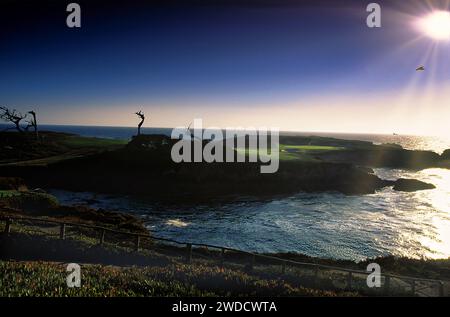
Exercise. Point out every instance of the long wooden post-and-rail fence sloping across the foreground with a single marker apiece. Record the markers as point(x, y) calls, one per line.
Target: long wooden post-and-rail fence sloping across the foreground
point(137, 237)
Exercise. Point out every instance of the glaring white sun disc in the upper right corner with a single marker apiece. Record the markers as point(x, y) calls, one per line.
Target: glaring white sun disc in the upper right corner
point(436, 25)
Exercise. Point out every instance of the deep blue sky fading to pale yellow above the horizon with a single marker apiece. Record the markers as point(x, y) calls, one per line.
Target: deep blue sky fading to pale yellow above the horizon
point(295, 65)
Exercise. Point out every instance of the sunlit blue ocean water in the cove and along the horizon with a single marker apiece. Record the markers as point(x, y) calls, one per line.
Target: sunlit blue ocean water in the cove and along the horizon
point(329, 224)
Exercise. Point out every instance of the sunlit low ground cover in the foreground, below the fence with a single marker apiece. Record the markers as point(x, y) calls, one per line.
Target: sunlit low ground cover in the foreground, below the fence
point(49, 279)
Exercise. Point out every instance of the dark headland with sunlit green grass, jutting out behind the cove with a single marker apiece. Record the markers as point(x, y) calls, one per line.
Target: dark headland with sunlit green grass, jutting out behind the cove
point(144, 166)
